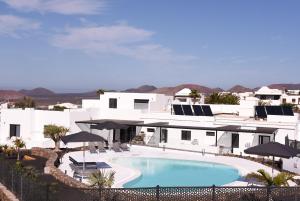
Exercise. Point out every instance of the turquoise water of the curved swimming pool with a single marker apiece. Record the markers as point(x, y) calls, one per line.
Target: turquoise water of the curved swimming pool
point(168, 172)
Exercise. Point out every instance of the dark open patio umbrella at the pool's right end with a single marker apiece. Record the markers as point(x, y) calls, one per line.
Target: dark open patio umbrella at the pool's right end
point(273, 149)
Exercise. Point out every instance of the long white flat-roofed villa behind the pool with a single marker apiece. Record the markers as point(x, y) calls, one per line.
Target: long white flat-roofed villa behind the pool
point(165, 121)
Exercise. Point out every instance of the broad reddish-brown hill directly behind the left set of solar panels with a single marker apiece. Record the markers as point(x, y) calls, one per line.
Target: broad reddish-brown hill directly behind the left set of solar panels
point(173, 90)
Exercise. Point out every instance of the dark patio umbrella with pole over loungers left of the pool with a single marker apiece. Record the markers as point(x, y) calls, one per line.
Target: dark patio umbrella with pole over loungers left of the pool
point(84, 137)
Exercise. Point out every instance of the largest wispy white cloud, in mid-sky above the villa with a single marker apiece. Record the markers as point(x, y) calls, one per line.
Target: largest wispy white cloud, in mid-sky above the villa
point(120, 39)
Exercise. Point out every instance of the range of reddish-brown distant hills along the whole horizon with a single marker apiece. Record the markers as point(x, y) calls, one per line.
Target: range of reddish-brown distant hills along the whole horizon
point(44, 97)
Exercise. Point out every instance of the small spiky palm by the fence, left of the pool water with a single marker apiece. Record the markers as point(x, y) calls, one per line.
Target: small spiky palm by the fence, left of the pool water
point(102, 179)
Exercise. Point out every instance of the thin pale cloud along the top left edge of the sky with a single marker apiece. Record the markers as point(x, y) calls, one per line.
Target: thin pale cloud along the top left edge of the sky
point(66, 7)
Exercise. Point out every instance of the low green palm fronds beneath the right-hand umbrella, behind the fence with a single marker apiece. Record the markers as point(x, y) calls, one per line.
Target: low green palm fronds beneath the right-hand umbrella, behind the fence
point(281, 179)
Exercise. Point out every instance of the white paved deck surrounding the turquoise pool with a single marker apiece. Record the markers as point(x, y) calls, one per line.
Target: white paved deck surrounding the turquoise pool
point(125, 174)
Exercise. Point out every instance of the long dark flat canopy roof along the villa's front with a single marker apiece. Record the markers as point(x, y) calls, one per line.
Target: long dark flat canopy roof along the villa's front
point(228, 128)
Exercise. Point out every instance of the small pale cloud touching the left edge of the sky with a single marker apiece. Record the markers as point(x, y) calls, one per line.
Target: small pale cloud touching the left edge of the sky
point(14, 26)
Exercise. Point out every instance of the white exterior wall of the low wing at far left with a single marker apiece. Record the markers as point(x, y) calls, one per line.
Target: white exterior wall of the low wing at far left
point(32, 124)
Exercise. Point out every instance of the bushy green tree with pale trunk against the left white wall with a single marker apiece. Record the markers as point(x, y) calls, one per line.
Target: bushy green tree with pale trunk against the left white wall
point(55, 133)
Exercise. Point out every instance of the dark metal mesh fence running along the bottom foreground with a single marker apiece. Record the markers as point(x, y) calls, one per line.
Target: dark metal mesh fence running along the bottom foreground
point(28, 189)
